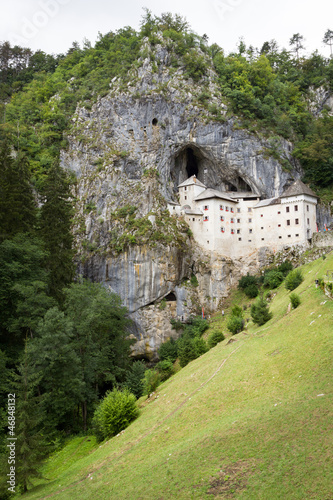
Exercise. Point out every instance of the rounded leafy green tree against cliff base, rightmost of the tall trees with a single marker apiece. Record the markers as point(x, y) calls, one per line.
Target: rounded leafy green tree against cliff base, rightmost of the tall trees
point(99, 325)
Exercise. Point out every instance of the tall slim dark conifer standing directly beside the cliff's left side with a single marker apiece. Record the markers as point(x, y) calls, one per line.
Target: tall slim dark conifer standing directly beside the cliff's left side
point(55, 229)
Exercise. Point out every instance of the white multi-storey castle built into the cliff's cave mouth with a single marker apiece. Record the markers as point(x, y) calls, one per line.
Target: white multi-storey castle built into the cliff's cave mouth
point(236, 224)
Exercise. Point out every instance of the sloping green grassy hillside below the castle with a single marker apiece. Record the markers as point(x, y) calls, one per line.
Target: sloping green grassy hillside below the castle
point(251, 419)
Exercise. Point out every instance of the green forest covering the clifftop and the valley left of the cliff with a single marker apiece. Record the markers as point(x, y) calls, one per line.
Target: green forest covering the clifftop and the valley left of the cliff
point(63, 340)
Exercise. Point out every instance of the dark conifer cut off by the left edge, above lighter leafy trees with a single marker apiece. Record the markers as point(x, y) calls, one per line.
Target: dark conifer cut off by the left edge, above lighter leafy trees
point(17, 202)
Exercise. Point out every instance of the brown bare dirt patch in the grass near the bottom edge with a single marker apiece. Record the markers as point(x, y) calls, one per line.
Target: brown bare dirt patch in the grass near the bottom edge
point(232, 479)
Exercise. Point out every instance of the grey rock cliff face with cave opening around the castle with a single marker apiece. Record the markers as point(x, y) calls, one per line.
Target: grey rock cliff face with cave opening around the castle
point(129, 153)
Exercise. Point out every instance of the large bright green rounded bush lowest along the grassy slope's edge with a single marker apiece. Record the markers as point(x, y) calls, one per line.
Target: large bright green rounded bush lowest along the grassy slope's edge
point(114, 413)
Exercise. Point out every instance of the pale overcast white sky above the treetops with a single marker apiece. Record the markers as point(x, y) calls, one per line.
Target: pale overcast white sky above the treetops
point(52, 25)
